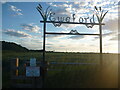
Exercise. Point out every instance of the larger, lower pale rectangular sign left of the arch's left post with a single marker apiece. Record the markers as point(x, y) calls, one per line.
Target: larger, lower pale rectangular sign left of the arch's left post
point(32, 71)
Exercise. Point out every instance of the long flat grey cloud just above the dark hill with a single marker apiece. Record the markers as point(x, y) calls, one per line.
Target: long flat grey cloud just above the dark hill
point(15, 33)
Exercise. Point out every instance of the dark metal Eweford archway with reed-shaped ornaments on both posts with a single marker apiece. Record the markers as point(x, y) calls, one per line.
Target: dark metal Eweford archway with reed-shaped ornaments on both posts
point(57, 22)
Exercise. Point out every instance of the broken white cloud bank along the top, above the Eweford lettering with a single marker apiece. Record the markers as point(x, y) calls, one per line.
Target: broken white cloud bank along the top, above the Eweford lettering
point(86, 6)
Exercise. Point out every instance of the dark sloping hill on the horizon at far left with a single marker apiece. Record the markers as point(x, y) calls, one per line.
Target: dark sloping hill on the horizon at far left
point(10, 46)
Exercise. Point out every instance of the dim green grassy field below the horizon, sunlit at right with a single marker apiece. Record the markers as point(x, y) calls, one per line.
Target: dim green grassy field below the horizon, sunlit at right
point(70, 76)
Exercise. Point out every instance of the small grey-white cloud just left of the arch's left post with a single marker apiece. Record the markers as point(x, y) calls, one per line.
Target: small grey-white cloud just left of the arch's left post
point(31, 27)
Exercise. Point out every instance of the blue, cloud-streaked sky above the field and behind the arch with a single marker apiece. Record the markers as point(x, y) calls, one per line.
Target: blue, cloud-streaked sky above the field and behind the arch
point(21, 24)
